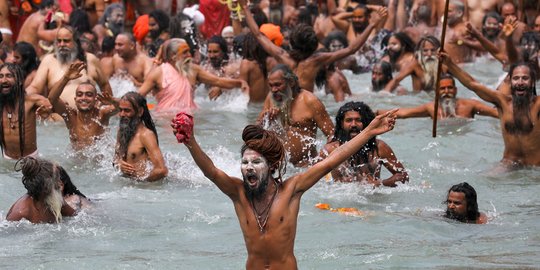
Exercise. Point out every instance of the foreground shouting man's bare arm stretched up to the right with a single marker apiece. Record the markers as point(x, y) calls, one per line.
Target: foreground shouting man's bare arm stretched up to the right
point(379, 125)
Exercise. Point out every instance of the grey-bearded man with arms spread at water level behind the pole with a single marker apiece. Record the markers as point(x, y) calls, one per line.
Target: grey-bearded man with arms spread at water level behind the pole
point(449, 105)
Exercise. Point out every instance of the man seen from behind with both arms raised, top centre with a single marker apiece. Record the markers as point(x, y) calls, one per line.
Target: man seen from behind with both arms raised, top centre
point(302, 58)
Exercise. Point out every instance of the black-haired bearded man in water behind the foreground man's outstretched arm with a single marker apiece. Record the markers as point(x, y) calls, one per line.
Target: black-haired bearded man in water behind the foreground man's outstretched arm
point(364, 165)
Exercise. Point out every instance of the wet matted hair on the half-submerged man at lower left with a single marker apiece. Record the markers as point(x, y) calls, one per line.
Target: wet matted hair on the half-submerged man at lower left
point(38, 176)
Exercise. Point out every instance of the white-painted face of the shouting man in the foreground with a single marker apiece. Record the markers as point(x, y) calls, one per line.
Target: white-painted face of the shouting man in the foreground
point(255, 168)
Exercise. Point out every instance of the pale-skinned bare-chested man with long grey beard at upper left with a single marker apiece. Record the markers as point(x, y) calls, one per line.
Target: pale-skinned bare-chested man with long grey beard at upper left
point(53, 67)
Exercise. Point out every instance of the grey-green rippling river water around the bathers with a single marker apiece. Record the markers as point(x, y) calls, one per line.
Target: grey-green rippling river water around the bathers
point(185, 222)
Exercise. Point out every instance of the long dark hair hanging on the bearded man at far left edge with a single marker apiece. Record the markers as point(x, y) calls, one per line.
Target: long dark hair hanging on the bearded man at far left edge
point(19, 95)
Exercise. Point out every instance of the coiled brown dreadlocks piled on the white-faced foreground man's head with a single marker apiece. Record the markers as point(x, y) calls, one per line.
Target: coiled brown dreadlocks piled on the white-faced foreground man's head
point(268, 144)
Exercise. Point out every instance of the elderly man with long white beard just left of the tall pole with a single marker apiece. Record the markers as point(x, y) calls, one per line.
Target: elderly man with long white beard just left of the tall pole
point(423, 69)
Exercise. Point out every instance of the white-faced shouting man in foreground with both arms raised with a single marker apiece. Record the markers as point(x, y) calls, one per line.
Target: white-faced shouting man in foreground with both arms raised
point(267, 206)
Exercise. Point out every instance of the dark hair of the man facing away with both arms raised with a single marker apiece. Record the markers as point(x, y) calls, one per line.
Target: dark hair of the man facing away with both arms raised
point(303, 42)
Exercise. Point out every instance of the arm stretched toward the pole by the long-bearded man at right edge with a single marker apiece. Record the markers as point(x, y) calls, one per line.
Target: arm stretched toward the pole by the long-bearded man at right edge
point(468, 81)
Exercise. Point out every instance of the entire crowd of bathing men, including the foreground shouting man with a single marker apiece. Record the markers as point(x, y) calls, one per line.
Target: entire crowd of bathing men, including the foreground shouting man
point(58, 59)
